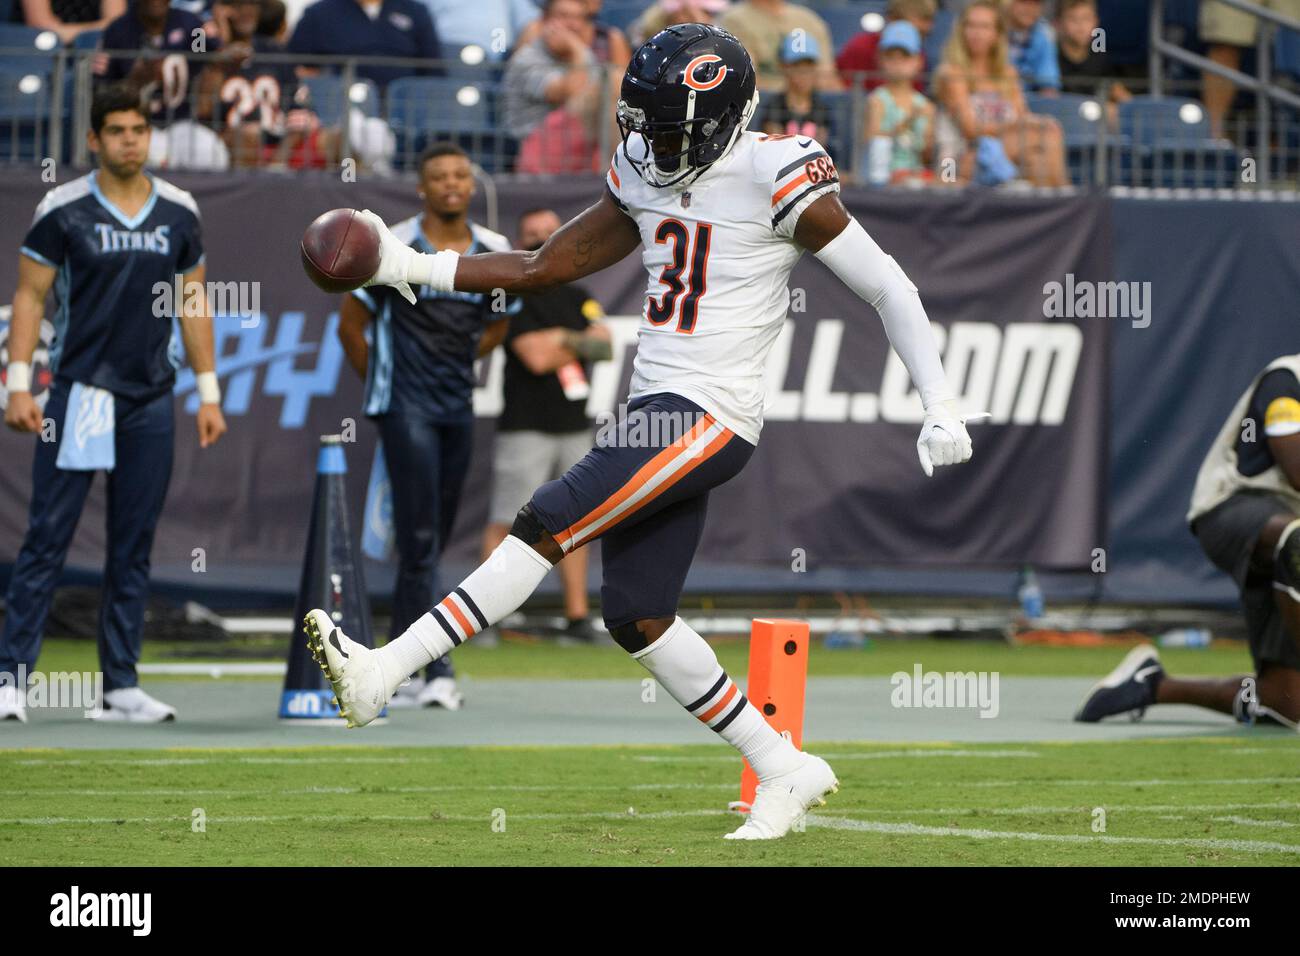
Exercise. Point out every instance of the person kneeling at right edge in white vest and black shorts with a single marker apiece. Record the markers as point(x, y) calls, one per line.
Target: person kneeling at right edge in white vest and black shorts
point(1246, 513)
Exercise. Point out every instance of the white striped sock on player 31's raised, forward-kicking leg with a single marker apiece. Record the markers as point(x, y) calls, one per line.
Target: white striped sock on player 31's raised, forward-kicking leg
point(495, 590)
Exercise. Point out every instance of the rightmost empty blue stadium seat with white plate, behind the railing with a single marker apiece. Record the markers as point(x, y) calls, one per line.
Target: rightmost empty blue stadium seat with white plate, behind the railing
point(1171, 139)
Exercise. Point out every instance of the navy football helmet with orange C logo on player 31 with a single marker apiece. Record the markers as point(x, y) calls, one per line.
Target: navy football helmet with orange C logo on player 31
point(688, 94)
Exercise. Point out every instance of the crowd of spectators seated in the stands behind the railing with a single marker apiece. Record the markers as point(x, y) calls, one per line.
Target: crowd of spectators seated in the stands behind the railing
point(898, 102)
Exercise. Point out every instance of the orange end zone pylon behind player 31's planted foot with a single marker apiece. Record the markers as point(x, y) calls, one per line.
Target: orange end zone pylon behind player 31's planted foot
point(778, 678)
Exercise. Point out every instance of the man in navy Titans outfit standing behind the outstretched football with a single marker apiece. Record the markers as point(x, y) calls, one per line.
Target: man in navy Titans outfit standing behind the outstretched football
point(419, 390)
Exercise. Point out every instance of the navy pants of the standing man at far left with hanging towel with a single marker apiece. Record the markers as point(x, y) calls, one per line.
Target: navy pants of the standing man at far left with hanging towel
point(137, 490)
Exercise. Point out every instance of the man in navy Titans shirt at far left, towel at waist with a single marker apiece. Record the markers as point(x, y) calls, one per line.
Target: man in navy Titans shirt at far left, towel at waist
point(105, 244)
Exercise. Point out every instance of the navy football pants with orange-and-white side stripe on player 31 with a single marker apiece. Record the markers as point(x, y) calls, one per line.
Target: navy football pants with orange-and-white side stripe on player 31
point(644, 492)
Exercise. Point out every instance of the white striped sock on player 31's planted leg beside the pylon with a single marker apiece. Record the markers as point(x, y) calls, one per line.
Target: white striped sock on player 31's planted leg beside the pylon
point(688, 669)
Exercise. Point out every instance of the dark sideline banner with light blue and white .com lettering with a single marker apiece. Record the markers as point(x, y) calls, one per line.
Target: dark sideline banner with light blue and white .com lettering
point(1021, 292)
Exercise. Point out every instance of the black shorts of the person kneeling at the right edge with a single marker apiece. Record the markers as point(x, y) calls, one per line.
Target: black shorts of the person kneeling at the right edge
point(1228, 535)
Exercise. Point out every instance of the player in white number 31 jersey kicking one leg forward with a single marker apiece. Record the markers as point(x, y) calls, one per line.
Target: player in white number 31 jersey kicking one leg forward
point(721, 215)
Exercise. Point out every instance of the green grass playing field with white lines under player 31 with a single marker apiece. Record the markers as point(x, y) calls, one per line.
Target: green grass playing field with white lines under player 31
point(1227, 801)
